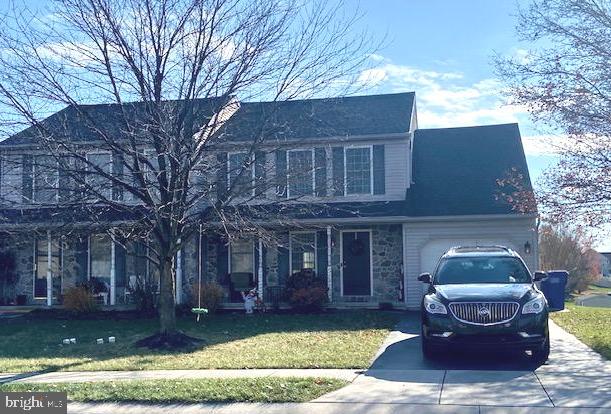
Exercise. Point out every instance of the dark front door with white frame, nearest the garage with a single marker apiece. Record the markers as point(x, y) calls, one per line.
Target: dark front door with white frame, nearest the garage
point(356, 263)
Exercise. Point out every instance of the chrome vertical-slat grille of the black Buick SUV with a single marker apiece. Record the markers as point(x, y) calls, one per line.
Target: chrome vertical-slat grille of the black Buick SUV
point(484, 313)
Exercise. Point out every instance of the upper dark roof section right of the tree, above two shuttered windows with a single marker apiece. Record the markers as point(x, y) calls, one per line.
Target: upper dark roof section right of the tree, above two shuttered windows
point(319, 118)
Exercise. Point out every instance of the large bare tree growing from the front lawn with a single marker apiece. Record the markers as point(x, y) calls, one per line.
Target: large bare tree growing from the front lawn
point(176, 71)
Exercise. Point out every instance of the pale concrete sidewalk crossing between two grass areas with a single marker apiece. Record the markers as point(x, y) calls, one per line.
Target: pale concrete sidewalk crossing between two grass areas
point(92, 376)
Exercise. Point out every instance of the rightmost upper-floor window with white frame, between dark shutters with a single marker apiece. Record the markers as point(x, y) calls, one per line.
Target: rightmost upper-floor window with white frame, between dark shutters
point(358, 170)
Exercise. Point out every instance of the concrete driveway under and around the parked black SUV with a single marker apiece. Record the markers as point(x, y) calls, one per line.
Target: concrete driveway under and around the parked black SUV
point(574, 377)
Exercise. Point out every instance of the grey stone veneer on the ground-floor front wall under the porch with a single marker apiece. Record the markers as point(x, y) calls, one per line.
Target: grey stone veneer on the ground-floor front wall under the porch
point(387, 264)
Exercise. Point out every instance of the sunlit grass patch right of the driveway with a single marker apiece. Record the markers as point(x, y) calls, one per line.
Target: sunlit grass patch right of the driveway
point(590, 325)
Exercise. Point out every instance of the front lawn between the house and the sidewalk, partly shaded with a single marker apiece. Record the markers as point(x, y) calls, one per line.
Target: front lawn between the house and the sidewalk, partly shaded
point(333, 340)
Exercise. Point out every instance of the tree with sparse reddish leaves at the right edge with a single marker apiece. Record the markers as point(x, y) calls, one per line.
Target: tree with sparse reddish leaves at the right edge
point(565, 82)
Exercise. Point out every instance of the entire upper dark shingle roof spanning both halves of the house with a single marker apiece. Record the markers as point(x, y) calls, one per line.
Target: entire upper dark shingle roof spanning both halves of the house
point(283, 120)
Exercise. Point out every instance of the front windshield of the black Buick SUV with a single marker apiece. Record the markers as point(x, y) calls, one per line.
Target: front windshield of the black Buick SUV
point(458, 270)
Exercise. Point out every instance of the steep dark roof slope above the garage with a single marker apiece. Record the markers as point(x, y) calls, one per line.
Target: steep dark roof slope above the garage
point(455, 170)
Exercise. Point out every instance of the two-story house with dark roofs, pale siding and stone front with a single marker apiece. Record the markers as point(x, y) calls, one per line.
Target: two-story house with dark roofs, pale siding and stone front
point(390, 198)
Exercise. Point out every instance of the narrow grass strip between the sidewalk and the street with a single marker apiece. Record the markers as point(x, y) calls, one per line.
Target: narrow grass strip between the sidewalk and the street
point(191, 391)
